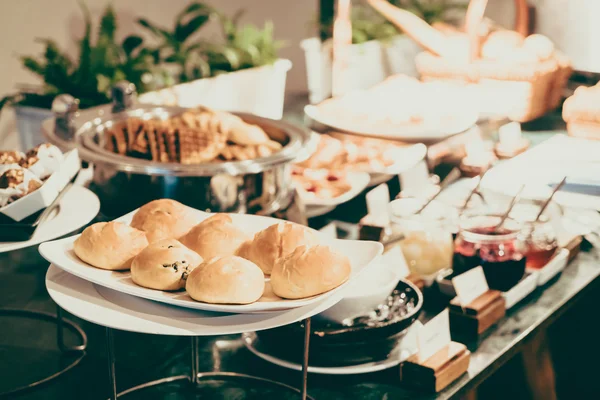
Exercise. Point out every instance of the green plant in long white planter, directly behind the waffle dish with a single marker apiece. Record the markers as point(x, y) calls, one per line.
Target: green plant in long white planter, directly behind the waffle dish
point(238, 72)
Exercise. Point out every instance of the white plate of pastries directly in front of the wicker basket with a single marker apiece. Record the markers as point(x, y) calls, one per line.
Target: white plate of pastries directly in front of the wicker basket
point(429, 131)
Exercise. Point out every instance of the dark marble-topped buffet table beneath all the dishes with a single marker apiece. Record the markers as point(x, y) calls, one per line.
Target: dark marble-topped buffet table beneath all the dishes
point(143, 358)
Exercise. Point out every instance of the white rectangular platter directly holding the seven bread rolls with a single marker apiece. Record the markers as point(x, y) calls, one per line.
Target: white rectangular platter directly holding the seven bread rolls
point(60, 253)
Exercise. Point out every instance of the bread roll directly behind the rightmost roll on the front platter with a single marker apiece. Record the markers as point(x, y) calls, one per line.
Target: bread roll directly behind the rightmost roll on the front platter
point(276, 241)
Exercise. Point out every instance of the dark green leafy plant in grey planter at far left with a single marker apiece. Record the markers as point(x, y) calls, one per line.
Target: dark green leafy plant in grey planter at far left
point(100, 63)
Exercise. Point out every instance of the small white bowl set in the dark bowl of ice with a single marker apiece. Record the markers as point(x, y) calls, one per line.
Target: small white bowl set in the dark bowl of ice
point(365, 294)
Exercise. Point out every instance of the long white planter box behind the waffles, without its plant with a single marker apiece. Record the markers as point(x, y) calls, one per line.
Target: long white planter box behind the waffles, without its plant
point(258, 91)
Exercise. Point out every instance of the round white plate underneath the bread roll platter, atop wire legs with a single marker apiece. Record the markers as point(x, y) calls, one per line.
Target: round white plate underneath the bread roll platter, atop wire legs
point(113, 309)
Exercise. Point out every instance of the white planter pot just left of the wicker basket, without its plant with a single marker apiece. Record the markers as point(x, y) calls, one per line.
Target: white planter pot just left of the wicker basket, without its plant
point(370, 63)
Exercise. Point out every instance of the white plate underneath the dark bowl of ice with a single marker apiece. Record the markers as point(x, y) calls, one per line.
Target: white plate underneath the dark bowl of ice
point(395, 358)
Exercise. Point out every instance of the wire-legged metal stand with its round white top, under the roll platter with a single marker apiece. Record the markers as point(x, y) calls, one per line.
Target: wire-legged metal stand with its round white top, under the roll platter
point(115, 310)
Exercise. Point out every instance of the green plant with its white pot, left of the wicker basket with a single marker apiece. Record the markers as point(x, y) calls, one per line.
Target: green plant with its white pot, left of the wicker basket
point(378, 48)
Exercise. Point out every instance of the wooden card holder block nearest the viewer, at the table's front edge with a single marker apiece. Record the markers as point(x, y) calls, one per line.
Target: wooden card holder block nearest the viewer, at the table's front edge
point(439, 370)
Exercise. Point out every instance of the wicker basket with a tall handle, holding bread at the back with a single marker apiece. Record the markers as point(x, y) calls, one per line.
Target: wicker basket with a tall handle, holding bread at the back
point(521, 92)
